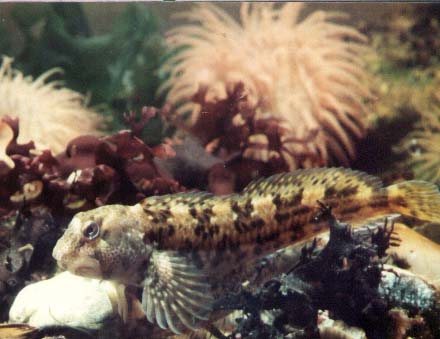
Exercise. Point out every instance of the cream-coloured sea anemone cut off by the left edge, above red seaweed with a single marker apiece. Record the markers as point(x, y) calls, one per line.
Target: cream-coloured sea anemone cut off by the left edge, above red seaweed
point(50, 115)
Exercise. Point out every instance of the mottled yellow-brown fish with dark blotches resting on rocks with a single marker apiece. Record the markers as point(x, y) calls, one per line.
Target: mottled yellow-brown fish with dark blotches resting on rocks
point(185, 249)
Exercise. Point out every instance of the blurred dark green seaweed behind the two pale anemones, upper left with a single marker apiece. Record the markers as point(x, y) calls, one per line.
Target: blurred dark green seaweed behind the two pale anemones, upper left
point(118, 70)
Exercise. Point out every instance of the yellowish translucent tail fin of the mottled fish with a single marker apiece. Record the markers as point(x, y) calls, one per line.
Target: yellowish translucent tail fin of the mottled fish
point(417, 199)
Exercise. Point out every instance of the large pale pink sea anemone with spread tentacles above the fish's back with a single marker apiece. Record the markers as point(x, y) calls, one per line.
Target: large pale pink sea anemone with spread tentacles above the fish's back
point(307, 74)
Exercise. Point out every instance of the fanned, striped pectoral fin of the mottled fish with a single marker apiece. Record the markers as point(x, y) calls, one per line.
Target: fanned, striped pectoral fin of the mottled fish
point(176, 295)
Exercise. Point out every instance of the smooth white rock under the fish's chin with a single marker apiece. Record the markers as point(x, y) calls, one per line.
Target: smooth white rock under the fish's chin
point(66, 300)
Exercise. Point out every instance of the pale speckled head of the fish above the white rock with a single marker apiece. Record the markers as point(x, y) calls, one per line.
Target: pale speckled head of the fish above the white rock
point(106, 242)
